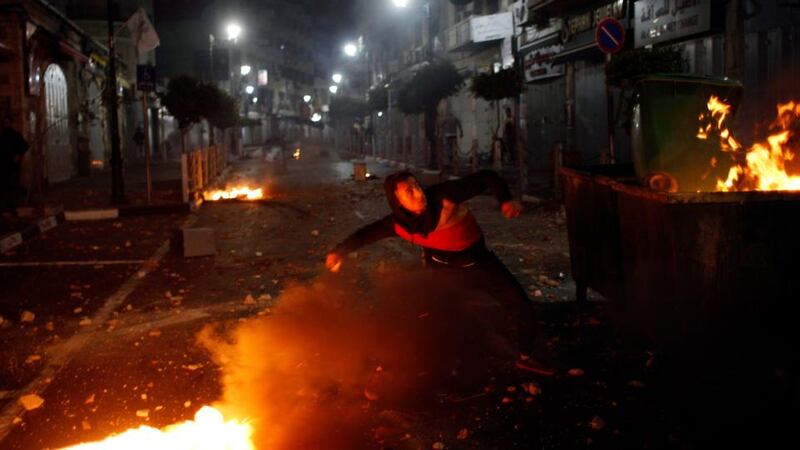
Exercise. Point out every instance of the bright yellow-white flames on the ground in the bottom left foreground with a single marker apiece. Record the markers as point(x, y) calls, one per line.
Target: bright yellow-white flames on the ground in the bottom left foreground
point(208, 431)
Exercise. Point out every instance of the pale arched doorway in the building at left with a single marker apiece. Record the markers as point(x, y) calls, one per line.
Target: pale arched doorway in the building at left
point(60, 166)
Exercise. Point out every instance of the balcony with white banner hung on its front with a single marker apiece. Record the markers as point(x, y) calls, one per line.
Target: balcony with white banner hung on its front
point(478, 32)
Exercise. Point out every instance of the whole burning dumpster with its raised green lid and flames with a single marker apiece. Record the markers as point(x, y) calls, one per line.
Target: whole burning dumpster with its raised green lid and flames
point(705, 268)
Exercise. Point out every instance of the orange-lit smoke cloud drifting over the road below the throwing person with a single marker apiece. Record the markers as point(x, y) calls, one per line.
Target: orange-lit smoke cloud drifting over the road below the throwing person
point(337, 361)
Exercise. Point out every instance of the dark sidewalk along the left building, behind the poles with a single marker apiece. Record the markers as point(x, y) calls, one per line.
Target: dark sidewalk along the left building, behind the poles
point(94, 192)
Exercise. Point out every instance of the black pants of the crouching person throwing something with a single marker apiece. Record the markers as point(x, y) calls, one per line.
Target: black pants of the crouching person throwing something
point(482, 270)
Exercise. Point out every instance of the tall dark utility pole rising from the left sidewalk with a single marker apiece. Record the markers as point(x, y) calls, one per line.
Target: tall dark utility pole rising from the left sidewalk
point(117, 182)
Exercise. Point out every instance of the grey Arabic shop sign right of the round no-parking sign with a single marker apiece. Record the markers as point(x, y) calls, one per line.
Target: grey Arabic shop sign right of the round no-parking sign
point(658, 21)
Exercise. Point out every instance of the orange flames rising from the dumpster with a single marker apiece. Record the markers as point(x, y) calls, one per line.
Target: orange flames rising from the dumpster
point(762, 166)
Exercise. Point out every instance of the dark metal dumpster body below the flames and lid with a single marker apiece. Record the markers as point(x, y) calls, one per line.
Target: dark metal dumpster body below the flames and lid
point(703, 275)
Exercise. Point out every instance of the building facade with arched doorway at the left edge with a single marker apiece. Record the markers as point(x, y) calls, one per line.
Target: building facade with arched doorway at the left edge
point(51, 77)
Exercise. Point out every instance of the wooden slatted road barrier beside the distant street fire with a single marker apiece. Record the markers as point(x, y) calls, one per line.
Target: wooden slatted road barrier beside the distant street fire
point(200, 168)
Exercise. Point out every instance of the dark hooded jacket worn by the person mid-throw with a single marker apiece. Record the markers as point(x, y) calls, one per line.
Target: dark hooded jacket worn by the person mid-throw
point(456, 191)
